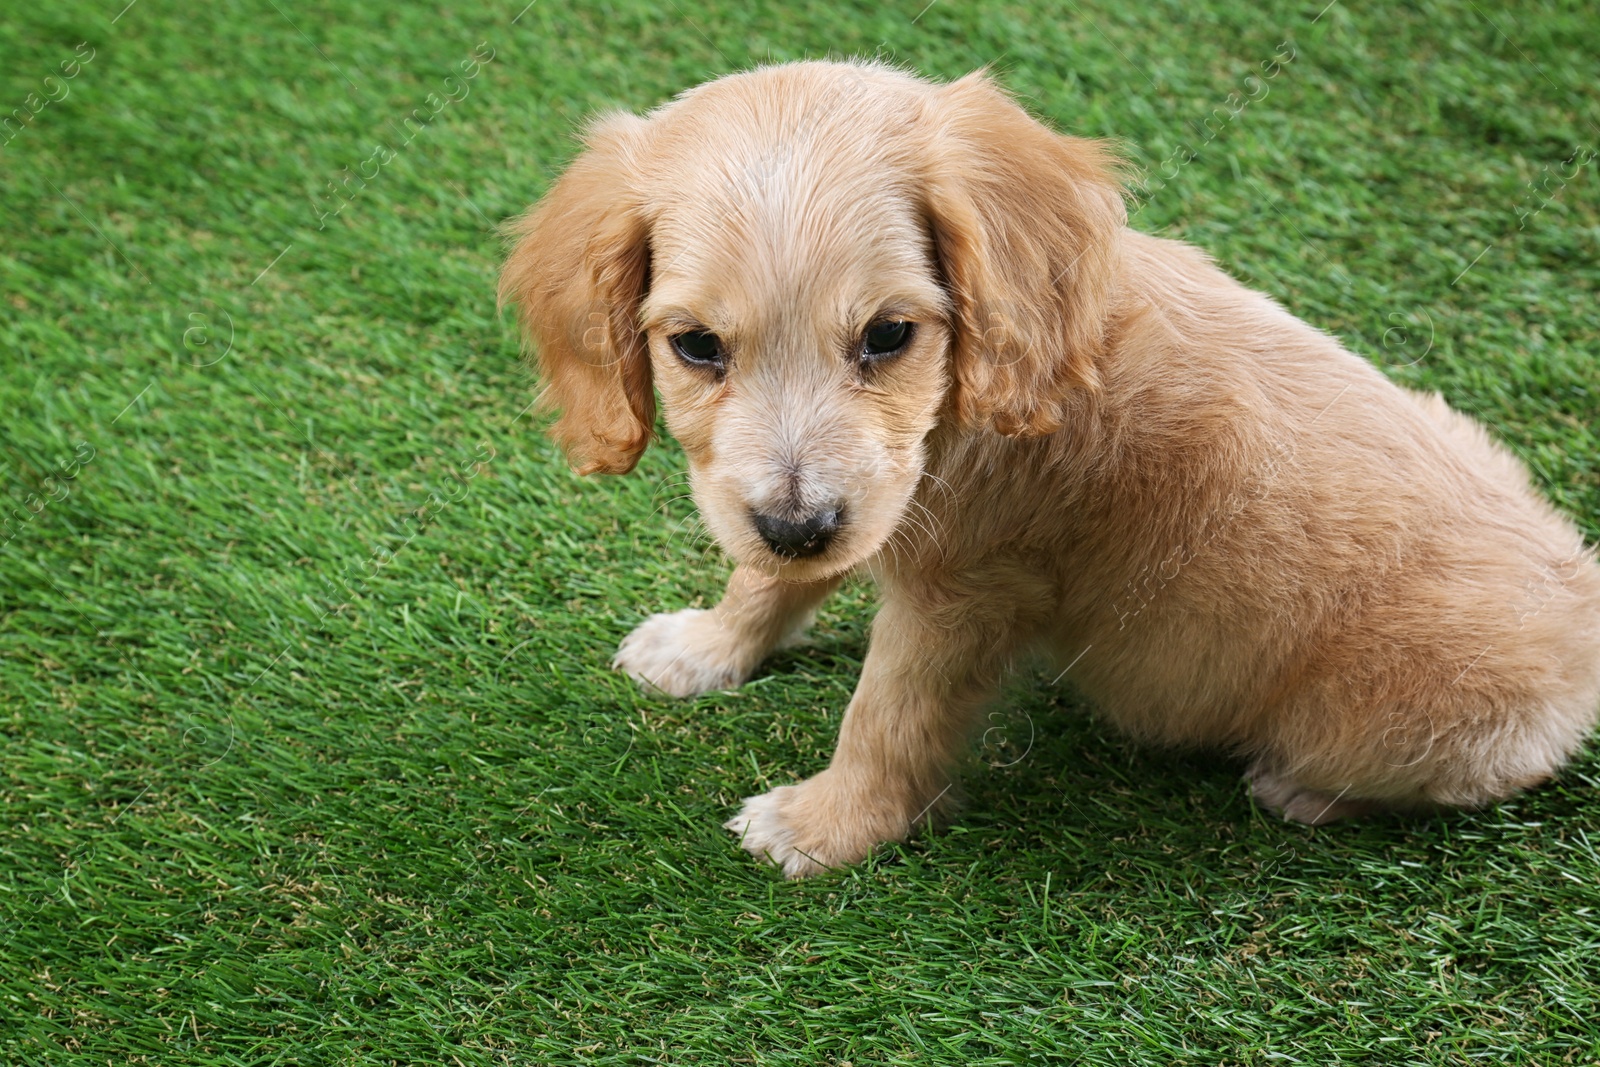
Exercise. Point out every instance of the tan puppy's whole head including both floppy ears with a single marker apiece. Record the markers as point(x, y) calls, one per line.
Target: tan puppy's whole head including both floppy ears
point(817, 266)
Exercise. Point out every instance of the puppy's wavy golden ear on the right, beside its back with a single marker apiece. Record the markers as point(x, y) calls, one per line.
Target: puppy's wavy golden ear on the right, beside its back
point(1026, 226)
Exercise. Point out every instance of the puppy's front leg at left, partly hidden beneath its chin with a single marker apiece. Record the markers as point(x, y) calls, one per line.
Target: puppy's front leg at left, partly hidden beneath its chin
point(692, 652)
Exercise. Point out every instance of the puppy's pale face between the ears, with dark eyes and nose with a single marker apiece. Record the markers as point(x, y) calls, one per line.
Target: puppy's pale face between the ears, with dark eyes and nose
point(798, 334)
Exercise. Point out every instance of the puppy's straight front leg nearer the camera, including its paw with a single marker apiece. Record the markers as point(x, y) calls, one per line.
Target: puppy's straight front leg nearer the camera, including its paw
point(924, 679)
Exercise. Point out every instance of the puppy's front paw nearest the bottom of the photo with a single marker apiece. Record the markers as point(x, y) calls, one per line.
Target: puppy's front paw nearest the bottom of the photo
point(812, 828)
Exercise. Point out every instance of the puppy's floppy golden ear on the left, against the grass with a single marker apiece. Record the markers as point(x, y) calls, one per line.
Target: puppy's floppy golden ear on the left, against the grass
point(578, 273)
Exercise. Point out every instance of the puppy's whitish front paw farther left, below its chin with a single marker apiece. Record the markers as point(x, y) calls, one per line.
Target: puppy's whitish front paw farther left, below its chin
point(682, 653)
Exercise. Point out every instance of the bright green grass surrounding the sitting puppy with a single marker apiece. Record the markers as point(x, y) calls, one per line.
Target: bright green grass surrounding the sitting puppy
point(311, 748)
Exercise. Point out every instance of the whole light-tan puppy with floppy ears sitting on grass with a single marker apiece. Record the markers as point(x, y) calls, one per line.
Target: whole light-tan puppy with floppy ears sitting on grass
point(903, 329)
